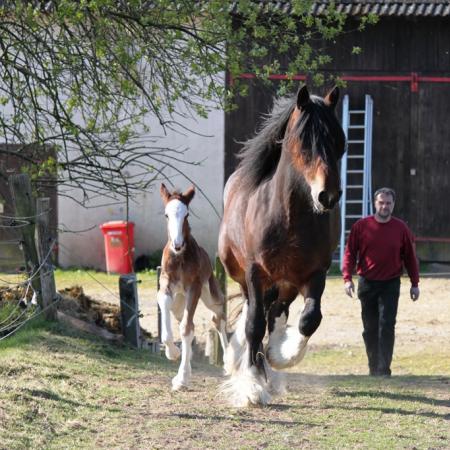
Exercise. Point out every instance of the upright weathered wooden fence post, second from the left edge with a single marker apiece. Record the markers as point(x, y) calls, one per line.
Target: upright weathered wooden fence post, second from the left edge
point(45, 247)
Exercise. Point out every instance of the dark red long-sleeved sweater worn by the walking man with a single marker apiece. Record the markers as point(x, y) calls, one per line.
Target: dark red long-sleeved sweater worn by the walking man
point(381, 249)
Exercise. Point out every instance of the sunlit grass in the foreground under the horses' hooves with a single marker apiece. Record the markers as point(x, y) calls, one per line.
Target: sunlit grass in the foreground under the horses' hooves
point(61, 389)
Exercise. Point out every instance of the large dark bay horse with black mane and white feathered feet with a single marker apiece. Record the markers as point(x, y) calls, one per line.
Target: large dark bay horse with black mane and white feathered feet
point(279, 230)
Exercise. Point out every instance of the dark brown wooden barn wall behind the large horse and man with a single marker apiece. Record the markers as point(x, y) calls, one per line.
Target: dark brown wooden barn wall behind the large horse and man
point(411, 136)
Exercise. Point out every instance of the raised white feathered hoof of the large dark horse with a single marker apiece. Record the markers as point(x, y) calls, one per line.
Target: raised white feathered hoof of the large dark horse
point(287, 346)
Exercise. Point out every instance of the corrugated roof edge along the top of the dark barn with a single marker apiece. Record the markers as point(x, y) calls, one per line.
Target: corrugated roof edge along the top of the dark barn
point(395, 8)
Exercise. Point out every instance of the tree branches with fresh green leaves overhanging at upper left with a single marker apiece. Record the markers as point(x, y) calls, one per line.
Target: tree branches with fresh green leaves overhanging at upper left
point(82, 76)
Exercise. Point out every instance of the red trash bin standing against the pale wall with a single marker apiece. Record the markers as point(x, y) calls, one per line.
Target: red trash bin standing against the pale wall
point(119, 246)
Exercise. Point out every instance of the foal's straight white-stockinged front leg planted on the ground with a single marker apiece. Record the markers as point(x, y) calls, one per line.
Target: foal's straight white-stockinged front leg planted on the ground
point(183, 377)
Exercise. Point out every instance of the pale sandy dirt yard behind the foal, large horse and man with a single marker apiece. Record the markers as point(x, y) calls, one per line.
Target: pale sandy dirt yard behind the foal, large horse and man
point(422, 323)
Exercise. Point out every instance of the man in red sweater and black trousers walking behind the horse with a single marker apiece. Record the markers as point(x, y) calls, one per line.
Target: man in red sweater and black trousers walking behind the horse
point(379, 246)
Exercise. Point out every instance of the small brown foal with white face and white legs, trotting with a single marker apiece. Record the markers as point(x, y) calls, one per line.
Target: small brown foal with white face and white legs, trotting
point(186, 276)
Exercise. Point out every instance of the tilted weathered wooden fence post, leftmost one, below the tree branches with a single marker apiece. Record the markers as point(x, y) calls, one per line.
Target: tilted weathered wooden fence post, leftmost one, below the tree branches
point(25, 208)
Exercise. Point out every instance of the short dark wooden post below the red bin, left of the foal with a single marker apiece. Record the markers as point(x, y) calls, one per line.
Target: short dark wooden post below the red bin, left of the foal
point(129, 310)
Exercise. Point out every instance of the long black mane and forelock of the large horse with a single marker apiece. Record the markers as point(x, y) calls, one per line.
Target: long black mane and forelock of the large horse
point(260, 155)
